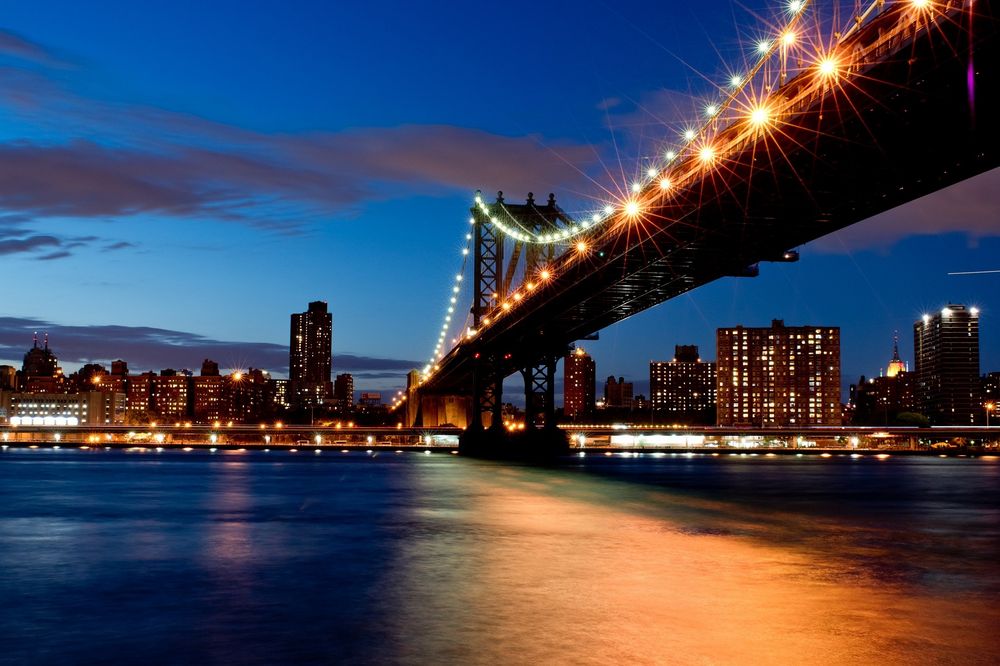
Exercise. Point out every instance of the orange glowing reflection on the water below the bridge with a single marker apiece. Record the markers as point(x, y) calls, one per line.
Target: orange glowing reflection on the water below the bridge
point(549, 568)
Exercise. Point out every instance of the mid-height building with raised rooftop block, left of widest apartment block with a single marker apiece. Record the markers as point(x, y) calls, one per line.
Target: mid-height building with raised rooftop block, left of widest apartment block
point(682, 390)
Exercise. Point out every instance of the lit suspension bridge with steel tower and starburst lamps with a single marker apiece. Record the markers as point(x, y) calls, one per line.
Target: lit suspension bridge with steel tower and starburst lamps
point(825, 127)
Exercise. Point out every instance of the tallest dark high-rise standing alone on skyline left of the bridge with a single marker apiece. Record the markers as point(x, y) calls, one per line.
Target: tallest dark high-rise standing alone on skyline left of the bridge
point(310, 355)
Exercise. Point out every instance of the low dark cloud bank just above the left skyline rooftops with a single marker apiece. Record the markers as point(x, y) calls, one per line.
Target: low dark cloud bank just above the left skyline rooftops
point(147, 348)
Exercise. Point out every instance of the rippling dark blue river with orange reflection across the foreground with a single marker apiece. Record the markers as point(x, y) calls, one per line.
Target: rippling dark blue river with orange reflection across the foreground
point(276, 558)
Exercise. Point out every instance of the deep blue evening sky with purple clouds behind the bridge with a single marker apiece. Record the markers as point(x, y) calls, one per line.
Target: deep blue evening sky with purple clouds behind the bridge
point(176, 178)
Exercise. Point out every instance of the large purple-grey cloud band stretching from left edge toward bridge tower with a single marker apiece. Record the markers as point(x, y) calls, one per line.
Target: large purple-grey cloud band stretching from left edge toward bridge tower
point(115, 159)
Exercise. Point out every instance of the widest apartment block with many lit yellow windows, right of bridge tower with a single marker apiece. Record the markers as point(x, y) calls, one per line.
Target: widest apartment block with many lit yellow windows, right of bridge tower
point(778, 376)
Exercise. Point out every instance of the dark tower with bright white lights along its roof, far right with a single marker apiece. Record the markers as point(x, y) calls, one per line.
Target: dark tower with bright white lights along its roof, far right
point(946, 347)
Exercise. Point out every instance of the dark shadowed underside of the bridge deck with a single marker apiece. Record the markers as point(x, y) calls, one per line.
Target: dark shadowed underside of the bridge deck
point(894, 130)
